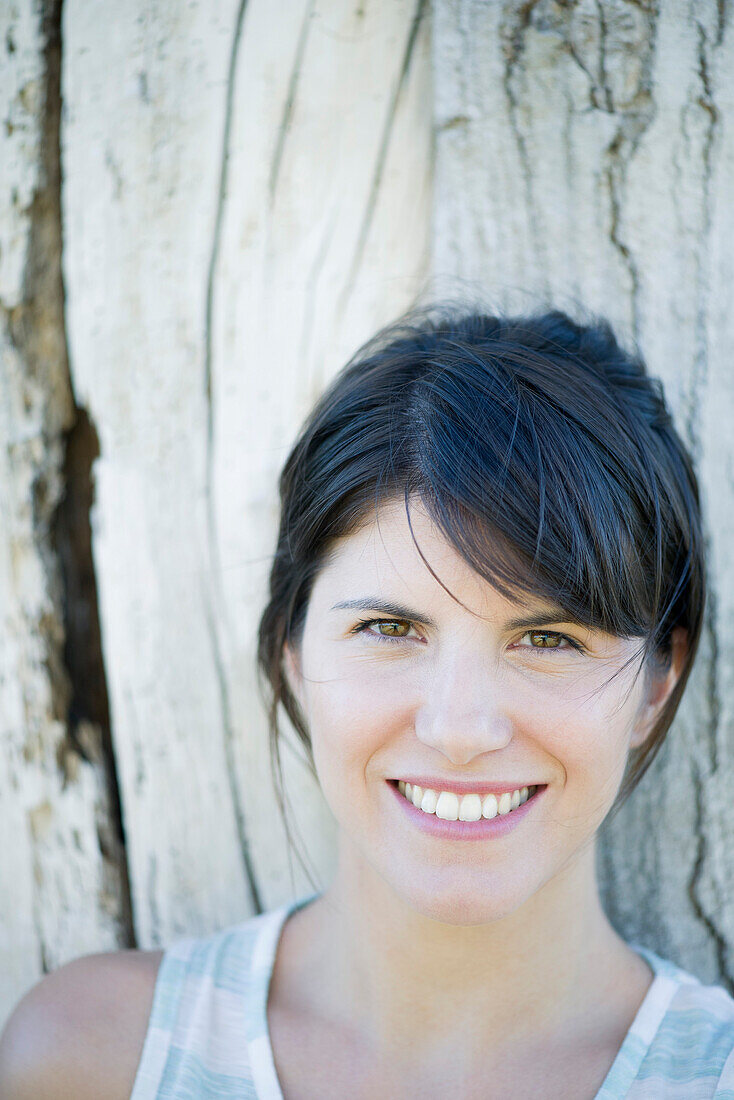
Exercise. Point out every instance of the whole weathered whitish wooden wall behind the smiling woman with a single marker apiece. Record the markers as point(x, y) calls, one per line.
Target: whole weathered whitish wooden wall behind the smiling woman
point(248, 193)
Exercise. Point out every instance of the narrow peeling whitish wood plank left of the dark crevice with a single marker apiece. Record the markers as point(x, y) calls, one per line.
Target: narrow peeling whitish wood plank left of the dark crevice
point(61, 890)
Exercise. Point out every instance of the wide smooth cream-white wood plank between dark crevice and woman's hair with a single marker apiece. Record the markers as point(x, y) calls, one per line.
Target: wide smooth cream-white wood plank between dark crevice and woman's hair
point(246, 199)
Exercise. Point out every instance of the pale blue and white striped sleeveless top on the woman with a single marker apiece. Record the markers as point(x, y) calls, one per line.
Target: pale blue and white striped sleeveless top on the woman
point(207, 1035)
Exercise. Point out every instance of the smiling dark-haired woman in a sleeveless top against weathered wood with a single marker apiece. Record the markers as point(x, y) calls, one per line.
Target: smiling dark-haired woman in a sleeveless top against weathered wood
point(485, 606)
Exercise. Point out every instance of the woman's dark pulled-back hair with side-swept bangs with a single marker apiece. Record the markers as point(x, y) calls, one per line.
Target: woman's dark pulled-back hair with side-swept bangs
point(542, 450)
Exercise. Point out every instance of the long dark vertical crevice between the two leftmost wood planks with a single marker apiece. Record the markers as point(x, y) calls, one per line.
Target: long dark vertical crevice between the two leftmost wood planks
point(82, 668)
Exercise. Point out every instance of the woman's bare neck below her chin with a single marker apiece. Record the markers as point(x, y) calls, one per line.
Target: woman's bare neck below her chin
point(404, 981)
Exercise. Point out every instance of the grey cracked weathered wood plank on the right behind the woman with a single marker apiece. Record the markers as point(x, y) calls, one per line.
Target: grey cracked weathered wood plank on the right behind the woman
point(586, 153)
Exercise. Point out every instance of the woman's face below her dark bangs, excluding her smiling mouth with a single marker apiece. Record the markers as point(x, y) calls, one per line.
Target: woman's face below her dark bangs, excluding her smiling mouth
point(435, 689)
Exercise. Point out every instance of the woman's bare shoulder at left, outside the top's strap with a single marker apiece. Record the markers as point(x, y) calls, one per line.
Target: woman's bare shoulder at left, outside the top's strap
point(80, 1031)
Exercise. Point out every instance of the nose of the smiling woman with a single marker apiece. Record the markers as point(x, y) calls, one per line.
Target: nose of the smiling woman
point(463, 712)
